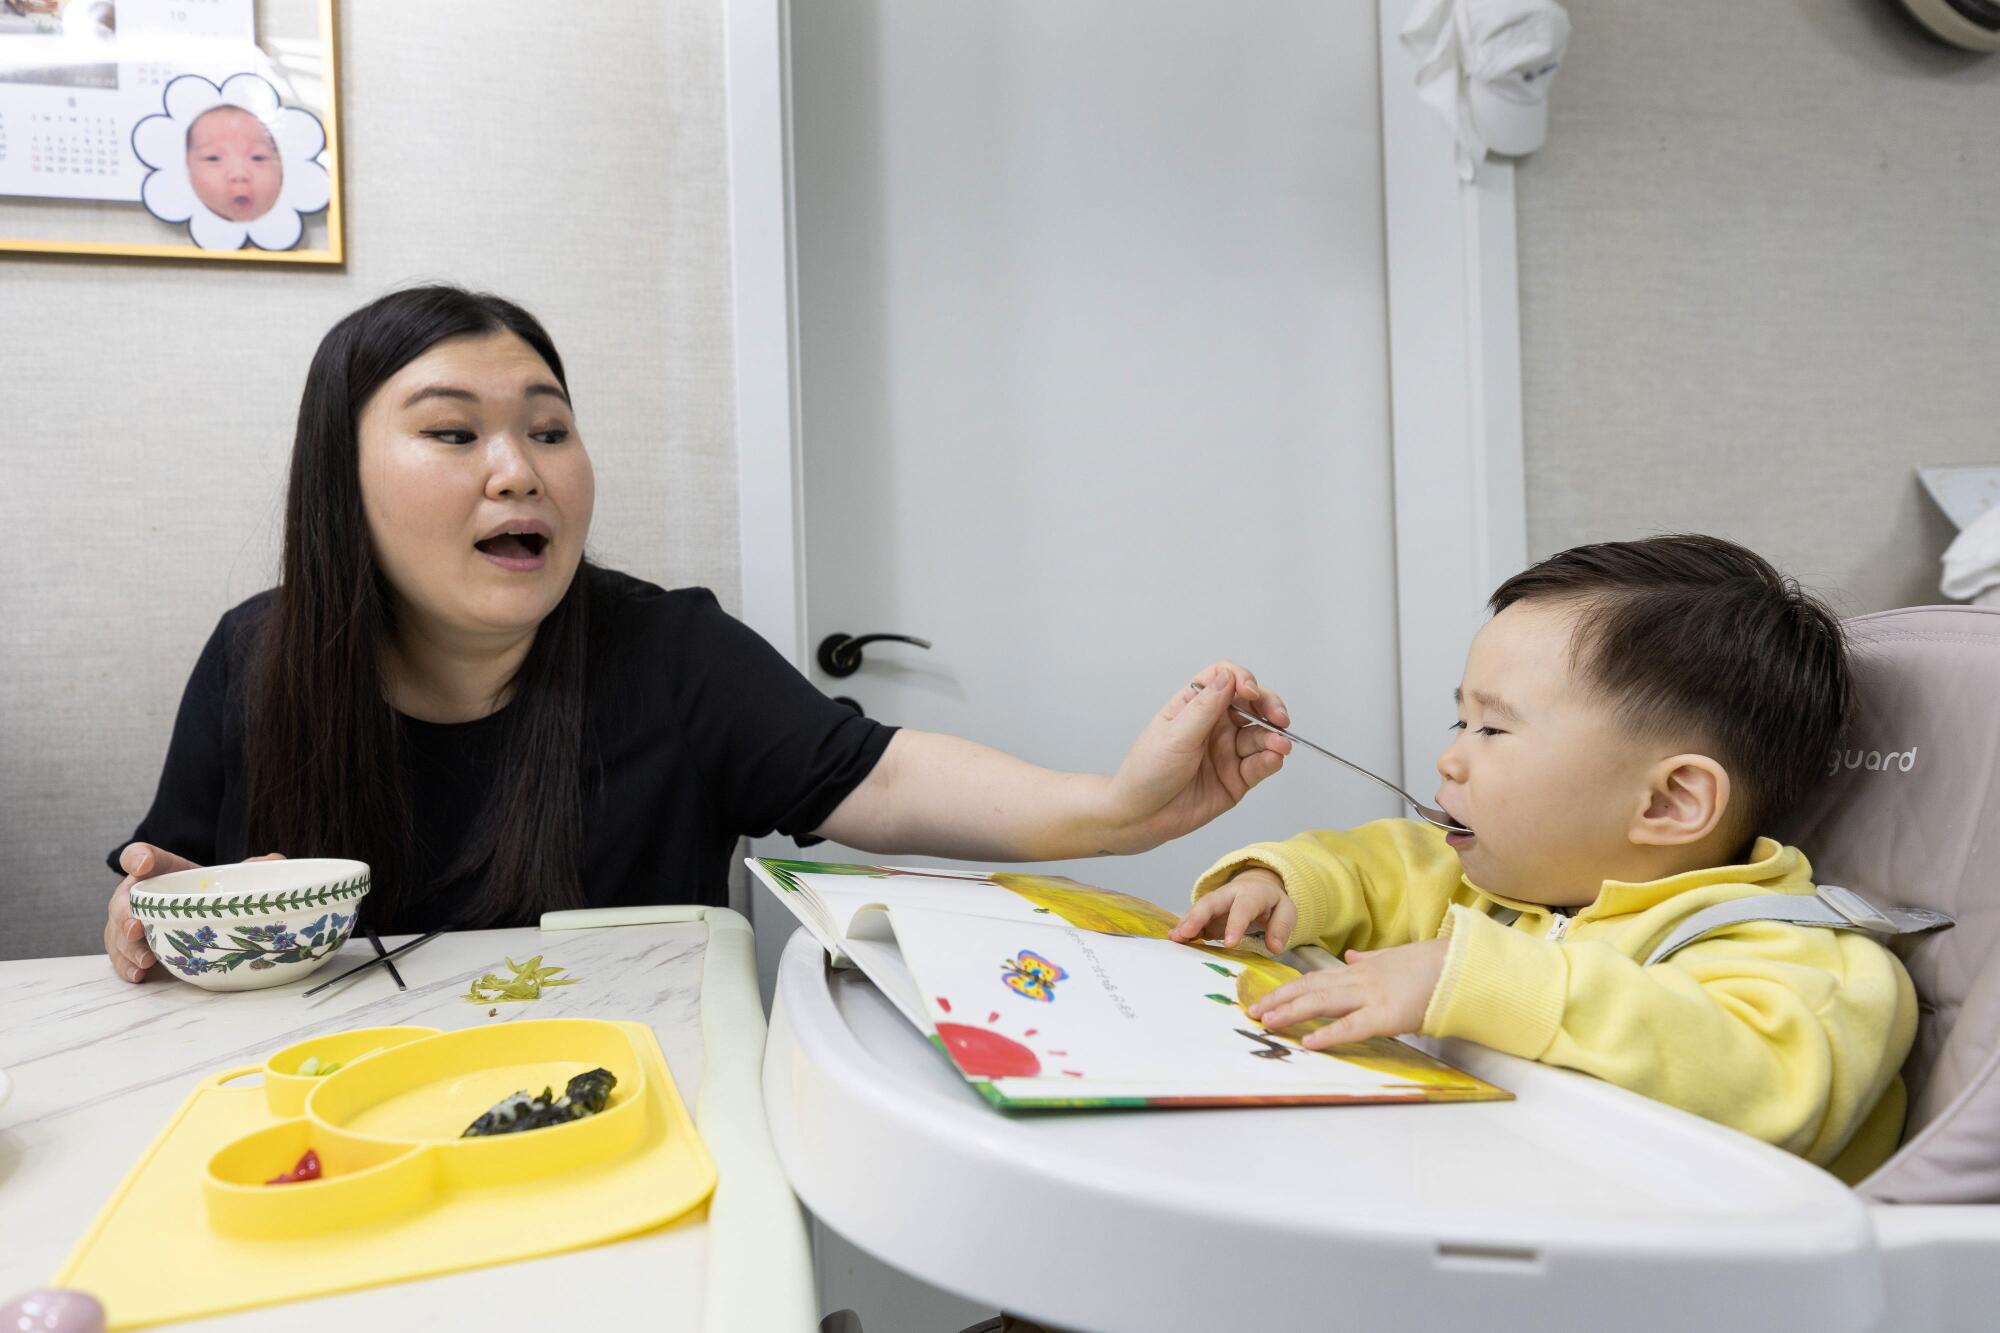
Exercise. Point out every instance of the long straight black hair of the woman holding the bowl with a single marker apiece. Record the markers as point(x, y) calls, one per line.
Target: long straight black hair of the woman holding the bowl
point(321, 748)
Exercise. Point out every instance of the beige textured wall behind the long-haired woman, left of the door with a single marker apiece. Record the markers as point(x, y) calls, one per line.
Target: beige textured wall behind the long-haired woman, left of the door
point(571, 159)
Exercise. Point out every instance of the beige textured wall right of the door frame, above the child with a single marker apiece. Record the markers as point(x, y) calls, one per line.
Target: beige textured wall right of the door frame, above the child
point(1761, 283)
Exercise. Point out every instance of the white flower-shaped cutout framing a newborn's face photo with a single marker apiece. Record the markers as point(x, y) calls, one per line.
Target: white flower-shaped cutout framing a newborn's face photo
point(233, 163)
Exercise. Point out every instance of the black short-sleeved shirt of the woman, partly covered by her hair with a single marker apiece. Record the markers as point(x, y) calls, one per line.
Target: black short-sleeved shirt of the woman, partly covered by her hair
point(695, 734)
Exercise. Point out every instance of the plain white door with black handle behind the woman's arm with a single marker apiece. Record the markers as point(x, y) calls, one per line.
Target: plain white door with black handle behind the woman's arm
point(1093, 377)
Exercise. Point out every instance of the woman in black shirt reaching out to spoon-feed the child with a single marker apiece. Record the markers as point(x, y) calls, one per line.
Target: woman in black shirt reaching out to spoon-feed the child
point(445, 688)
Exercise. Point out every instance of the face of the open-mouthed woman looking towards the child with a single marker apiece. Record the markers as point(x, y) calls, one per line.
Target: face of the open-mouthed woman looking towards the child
point(477, 487)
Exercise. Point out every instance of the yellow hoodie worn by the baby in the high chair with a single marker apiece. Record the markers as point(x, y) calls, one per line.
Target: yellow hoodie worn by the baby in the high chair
point(1789, 1034)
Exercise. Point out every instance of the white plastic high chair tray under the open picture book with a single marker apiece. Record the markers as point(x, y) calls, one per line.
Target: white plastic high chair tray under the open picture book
point(1577, 1206)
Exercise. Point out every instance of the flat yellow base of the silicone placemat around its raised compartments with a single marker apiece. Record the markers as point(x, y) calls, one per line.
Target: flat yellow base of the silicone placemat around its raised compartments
point(151, 1256)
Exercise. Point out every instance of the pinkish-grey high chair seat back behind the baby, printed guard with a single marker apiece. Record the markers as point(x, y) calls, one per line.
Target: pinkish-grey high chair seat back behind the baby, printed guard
point(1909, 816)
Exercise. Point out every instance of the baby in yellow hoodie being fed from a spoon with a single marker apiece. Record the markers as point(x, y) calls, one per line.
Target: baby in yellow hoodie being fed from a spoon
point(1629, 720)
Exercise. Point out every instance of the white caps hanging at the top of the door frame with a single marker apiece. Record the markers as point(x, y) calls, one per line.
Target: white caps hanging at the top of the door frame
point(1487, 67)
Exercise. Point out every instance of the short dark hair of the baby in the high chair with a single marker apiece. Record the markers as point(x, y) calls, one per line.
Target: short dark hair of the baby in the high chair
point(1697, 635)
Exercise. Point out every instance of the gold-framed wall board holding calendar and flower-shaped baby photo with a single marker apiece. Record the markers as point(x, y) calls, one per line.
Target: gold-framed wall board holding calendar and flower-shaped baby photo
point(171, 129)
